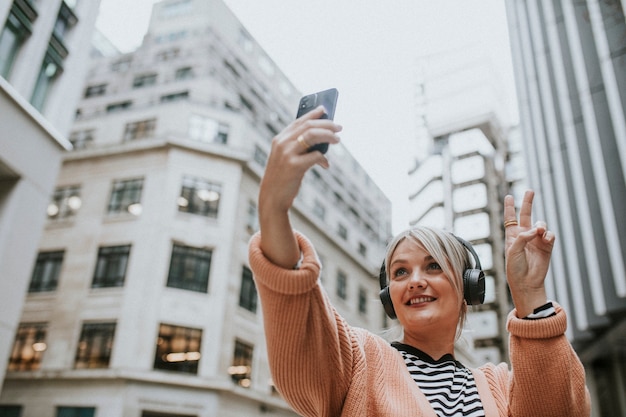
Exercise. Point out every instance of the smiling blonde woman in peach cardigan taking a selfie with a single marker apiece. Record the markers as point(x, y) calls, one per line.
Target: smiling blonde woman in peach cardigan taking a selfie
point(324, 367)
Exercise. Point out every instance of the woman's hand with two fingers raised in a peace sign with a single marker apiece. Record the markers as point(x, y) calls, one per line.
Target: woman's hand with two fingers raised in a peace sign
point(527, 250)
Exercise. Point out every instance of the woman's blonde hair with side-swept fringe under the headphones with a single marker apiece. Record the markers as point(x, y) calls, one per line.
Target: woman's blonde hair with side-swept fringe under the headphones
point(447, 251)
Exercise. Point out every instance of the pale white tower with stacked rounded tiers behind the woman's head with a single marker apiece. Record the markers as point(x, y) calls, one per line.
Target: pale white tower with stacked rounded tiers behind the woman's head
point(459, 182)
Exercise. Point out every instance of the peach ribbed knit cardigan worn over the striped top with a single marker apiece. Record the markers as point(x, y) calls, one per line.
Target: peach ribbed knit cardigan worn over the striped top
point(324, 367)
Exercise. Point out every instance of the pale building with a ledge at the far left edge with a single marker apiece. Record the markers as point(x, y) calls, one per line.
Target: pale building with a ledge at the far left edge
point(43, 50)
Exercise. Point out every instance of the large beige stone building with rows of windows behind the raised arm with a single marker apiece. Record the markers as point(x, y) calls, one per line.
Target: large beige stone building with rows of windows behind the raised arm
point(141, 302)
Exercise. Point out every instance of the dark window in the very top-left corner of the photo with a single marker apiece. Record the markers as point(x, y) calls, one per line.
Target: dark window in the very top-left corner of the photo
point(17, 28)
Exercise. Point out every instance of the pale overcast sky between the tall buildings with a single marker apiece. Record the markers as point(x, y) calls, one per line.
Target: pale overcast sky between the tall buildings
point(370, 51)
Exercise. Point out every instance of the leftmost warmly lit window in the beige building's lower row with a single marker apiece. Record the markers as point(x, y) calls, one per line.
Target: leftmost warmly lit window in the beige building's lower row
point(28, 347)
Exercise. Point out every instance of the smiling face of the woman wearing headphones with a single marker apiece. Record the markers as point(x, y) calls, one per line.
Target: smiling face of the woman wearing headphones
point(423, 296)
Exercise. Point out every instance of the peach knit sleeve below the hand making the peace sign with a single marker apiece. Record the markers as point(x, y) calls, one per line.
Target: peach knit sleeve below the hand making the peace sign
point(547, 377)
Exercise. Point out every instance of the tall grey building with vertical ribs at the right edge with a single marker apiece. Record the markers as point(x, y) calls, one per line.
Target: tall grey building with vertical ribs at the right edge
point(570, 66)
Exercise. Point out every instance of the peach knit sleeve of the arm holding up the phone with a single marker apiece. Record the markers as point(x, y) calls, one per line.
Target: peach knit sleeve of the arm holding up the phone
point(309, 344)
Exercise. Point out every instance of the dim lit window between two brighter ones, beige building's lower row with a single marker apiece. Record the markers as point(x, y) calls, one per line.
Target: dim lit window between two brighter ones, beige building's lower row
point(95, 345)
